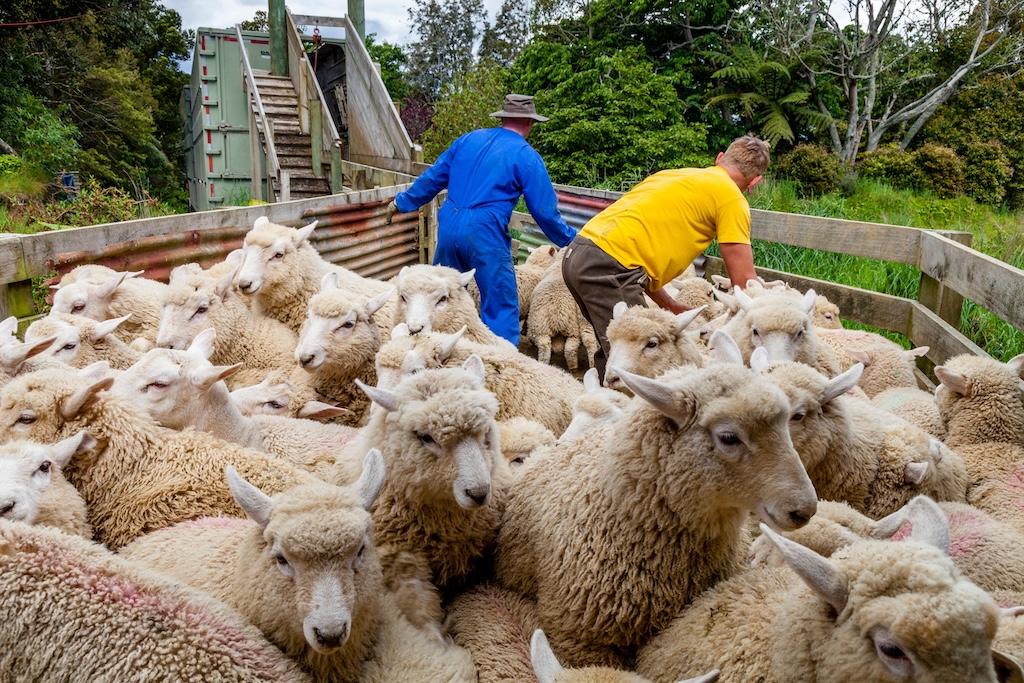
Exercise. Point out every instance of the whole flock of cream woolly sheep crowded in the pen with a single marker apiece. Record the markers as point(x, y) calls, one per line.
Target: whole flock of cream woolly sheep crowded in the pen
point(392, 493)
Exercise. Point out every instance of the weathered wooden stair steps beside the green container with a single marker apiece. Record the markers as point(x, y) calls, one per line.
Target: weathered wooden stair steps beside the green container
point(293, 147)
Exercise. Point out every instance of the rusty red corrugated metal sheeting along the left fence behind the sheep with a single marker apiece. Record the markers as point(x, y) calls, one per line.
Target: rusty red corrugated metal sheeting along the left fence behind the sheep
point(351, 235)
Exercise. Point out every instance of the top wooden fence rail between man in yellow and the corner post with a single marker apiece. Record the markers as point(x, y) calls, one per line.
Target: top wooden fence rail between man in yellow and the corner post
point(886, 243)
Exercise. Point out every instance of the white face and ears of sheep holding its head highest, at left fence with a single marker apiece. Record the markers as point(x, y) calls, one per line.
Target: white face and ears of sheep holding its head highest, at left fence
point(267, 252)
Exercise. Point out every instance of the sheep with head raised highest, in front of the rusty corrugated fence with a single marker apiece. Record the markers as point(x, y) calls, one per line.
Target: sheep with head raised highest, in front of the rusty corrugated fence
point(281, 271)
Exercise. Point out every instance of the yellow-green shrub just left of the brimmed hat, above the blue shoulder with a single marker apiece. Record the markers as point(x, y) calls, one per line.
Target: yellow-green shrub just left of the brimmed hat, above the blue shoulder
point(473, 98)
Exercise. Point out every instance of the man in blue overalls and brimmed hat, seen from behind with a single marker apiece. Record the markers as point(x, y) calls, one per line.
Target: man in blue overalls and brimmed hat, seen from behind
point(486, 172)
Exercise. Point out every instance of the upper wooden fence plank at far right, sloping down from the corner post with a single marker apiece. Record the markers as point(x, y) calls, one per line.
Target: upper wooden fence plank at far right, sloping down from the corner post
point(987, 281)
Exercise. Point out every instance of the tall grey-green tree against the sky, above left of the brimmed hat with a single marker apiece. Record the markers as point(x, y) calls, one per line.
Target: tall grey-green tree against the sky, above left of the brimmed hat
point(448, 31)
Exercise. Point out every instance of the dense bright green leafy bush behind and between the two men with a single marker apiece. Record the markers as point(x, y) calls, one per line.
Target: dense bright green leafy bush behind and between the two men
point(612, 114)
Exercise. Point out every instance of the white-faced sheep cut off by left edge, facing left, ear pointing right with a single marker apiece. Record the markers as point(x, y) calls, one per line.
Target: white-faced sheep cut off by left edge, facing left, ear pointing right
point(33, 489)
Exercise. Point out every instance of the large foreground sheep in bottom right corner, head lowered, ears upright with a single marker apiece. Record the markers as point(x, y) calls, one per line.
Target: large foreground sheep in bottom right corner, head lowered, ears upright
point(860, 616)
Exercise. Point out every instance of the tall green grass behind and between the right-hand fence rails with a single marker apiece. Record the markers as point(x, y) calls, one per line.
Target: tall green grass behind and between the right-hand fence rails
point(999, 234)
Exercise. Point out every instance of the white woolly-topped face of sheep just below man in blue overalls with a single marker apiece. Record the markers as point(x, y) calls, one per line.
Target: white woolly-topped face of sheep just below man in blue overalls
point(426, 293)
